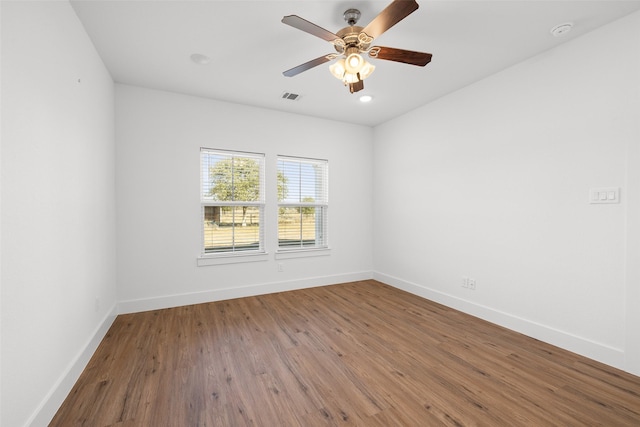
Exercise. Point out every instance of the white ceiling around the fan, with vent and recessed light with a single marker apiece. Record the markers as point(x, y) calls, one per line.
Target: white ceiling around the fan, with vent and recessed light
point(149, 43)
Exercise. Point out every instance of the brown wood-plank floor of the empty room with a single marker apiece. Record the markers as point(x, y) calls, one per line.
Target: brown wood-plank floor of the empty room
point(359, 353)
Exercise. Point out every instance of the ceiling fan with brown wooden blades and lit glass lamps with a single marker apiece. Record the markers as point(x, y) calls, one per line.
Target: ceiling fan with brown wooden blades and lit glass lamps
point(352, 41)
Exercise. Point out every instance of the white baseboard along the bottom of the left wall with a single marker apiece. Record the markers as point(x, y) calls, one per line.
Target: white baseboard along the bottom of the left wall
point(53, 400)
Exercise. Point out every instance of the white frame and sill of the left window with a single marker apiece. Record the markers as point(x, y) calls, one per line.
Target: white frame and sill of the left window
point(235, 254)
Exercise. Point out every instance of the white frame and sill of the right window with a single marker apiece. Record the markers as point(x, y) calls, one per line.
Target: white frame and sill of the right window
point(320, 203)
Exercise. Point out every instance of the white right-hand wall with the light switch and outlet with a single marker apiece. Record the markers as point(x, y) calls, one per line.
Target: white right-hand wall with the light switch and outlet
point(492, 183)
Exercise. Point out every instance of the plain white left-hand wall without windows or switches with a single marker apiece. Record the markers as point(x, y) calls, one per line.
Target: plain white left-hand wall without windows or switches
point(58, 216)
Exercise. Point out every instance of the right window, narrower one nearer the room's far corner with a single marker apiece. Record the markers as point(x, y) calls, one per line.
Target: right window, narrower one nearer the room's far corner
point(302, 203)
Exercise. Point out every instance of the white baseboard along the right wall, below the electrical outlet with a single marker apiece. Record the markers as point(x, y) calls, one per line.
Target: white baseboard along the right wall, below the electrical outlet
point(597, 351)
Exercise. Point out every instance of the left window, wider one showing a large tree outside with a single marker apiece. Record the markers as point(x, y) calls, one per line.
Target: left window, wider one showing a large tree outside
point(232, 199)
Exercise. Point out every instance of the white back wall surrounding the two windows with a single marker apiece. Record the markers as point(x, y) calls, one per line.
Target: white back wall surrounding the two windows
point(159, 135)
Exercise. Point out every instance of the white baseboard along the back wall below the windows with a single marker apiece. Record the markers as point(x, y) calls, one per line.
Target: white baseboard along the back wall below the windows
point(168, 301)
